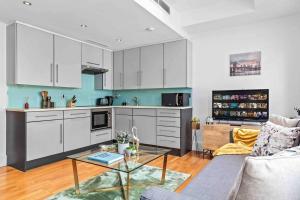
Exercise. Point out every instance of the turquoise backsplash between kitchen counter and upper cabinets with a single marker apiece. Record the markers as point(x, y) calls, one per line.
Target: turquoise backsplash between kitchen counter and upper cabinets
point(87, 95)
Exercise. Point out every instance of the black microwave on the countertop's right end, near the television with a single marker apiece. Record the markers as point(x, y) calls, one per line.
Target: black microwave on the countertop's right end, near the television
point(175, 99)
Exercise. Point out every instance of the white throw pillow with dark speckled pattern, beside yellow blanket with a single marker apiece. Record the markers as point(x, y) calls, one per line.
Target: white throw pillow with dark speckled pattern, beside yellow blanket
point(274, 138)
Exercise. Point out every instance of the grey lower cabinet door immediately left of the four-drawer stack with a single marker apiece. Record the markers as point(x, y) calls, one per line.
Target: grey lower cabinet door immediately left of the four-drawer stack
point(146, 128)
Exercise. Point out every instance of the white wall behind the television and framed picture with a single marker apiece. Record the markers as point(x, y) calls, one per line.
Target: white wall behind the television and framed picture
point(279, 42)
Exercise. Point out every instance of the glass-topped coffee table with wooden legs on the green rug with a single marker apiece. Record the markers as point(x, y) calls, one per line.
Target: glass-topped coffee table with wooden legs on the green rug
point(145, 155)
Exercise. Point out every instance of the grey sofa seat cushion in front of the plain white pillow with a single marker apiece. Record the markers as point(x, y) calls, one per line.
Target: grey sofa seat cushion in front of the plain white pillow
point(220, 179)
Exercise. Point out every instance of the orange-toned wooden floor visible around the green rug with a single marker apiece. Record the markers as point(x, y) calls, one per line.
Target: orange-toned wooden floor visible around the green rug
point(47, 180)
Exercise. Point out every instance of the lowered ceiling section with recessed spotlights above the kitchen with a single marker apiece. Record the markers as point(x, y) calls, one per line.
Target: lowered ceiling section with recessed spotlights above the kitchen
point(106, 20)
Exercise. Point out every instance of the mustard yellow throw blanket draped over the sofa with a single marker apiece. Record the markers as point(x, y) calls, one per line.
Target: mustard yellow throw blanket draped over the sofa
point(244, 139)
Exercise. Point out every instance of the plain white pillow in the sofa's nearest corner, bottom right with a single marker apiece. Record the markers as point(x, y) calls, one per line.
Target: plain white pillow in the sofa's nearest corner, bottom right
point(275, 178)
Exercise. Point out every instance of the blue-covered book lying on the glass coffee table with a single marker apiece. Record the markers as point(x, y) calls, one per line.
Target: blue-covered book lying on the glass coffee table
point(106, 157)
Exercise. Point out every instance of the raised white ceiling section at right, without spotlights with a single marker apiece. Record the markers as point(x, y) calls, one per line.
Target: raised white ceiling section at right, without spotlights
point(203, 15)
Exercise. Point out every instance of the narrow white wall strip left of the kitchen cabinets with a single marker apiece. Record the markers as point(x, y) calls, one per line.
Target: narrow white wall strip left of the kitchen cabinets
point(3, 96)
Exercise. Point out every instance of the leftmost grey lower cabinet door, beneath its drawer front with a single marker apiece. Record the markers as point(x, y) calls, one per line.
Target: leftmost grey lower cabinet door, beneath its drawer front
point(44, 139)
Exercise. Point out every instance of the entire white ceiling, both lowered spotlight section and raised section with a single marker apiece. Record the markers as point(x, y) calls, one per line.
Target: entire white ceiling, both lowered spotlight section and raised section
point(108, 20)
